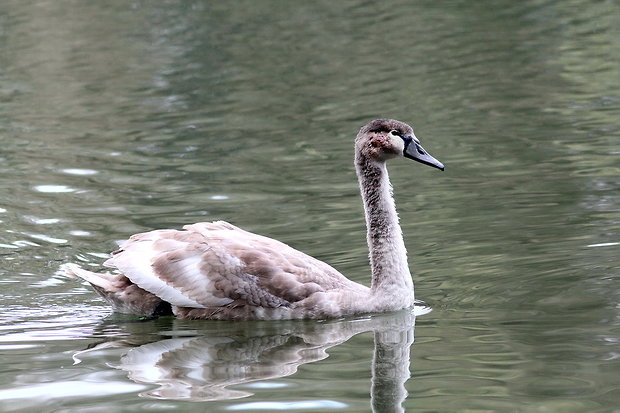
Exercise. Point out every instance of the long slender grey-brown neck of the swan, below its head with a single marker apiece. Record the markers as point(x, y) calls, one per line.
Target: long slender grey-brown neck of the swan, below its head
point(388, 256)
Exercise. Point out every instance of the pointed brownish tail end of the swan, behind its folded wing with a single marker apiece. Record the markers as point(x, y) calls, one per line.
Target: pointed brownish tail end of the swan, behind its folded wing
point(123, 295)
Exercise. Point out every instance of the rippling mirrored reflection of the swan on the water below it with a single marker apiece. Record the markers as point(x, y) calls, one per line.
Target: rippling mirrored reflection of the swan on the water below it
point(206, 364)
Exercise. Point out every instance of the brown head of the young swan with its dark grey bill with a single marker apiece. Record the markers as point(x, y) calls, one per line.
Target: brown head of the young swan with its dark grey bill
point(384, 139)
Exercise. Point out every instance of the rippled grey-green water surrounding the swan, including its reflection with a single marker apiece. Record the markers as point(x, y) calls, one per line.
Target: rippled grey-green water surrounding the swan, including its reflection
point(120, 117)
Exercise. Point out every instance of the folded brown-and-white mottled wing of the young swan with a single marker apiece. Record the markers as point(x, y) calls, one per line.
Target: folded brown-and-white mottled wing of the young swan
point(213, 264)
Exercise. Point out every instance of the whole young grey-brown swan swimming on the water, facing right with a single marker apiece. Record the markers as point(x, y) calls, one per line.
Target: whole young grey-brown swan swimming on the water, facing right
point(215, 270)
